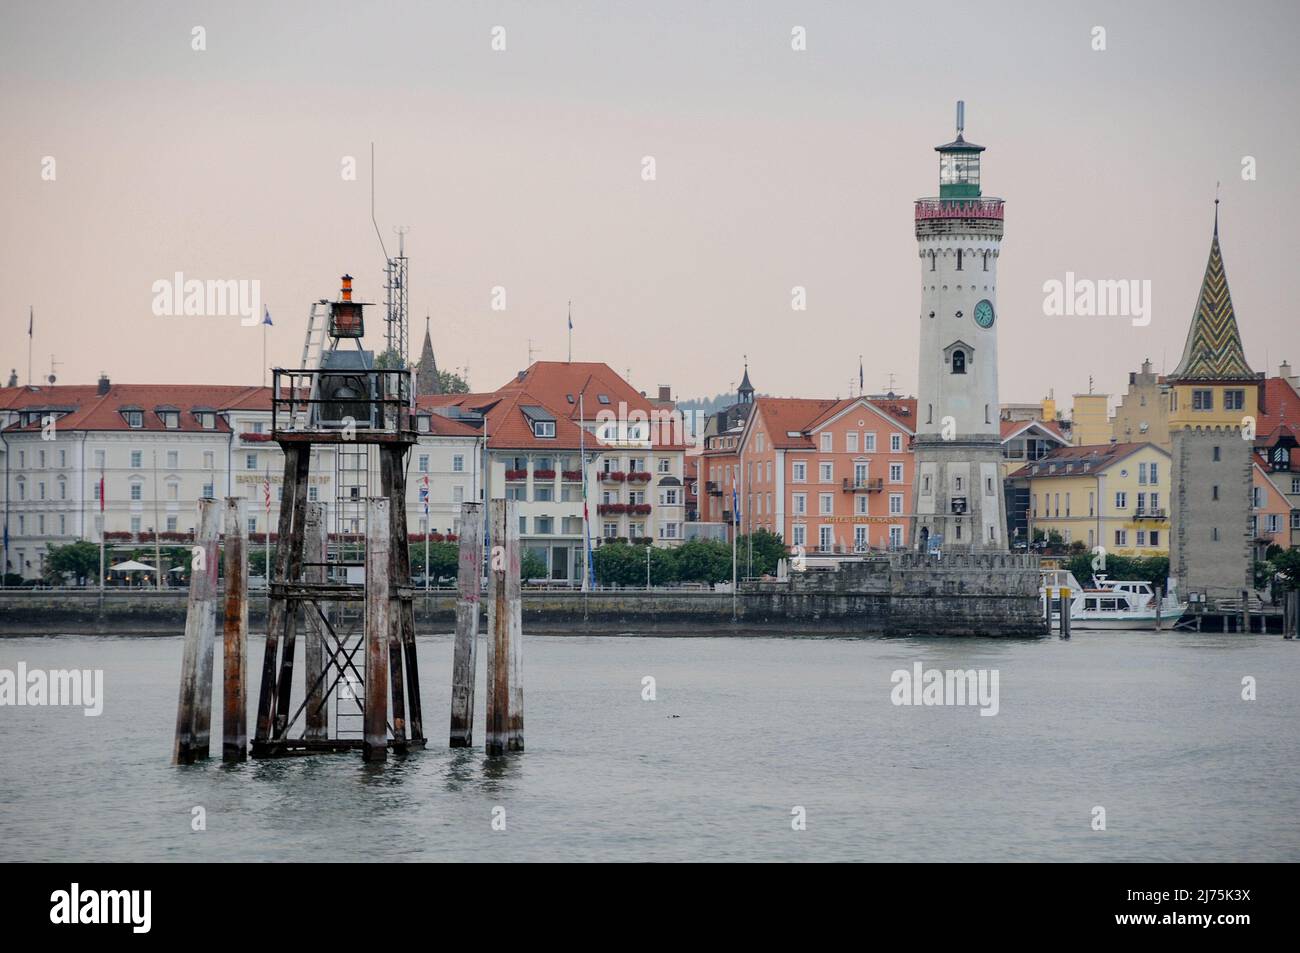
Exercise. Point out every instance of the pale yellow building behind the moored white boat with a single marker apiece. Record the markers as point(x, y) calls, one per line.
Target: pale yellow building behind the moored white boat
point(1110, 495)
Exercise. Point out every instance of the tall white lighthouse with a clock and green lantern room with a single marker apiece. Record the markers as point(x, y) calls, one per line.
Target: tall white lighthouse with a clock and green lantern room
point(957, 497)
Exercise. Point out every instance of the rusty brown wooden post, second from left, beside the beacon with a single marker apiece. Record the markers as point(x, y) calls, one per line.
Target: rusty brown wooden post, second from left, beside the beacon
point(235, 713)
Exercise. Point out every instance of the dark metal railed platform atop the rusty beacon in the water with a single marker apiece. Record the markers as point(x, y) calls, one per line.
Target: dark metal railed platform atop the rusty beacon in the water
point(365, 405)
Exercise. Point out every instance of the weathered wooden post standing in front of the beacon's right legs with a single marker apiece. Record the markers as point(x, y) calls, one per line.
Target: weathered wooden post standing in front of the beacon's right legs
point(378, 620)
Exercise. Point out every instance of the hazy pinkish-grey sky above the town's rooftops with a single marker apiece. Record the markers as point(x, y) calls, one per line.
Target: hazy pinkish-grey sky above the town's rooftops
point(523, 170)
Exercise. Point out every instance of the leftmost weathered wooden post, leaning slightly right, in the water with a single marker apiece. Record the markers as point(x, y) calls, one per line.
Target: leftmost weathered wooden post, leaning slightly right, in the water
point(194, 709)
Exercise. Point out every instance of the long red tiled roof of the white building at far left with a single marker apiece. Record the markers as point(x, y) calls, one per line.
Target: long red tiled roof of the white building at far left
point(93, 411)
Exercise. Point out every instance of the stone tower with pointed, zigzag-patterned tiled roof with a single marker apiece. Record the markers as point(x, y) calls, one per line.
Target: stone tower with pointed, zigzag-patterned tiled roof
point(1214, 406)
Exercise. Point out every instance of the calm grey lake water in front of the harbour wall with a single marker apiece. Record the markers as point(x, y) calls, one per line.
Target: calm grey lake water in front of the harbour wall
point(1150, 726)
